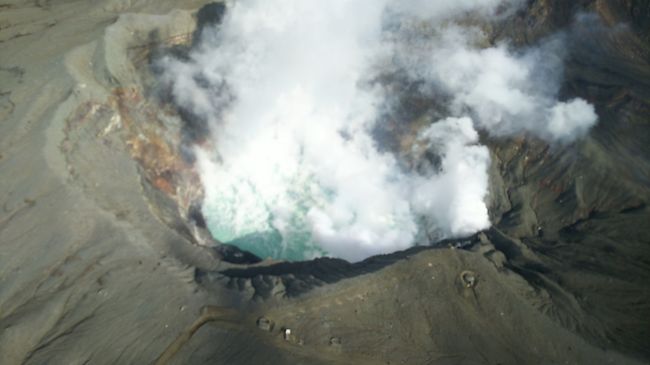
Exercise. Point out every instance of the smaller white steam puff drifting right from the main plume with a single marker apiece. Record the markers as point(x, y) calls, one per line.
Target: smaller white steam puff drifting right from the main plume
point(507, 93)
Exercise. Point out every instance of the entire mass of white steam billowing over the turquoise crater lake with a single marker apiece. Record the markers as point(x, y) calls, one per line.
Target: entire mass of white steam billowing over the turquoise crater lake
point(286, 86)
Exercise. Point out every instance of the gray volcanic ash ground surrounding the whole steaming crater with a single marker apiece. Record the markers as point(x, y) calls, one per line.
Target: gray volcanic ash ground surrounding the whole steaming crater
point(106, 258)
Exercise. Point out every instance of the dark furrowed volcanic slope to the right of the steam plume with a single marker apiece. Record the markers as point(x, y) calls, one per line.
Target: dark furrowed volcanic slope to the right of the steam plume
point(588, 202)
